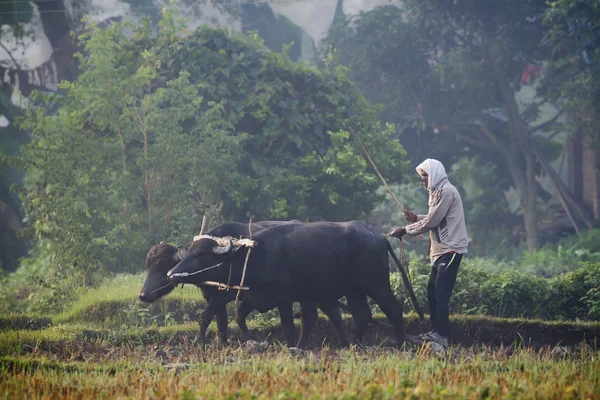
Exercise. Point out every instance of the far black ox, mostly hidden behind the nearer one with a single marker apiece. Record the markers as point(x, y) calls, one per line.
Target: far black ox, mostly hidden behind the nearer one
point(163, 257)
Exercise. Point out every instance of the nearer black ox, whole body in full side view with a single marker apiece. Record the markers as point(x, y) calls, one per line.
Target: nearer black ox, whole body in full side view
point(317, 262)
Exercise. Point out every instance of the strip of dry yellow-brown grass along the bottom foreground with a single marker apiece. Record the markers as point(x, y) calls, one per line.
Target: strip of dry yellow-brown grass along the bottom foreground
point(137, 372)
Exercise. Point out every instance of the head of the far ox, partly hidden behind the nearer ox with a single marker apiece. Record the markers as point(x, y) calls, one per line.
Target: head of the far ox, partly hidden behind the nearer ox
point(159, 260)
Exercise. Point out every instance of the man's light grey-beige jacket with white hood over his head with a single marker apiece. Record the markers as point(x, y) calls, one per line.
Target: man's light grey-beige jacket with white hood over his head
point(445, 220)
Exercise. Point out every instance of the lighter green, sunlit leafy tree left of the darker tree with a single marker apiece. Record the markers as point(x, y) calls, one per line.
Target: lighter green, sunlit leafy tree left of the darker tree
point(105, 173)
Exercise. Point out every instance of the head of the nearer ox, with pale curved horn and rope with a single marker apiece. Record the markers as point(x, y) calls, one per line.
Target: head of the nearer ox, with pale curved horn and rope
point(203, 261)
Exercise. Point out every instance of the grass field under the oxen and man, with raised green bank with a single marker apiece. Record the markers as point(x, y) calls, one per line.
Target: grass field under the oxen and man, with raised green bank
point(108, 345)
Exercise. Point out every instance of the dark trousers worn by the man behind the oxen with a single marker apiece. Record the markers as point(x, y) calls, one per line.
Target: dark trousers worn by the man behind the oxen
point(439, 290)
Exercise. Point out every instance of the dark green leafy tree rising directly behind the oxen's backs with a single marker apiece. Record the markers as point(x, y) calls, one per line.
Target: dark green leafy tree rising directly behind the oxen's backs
point(300, 161)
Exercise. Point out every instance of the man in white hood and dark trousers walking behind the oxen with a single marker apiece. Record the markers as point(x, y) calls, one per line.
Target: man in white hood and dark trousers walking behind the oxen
point(448, 234)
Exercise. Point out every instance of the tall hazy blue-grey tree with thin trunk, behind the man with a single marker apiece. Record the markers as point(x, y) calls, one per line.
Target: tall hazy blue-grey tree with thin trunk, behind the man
point(467, 59)
